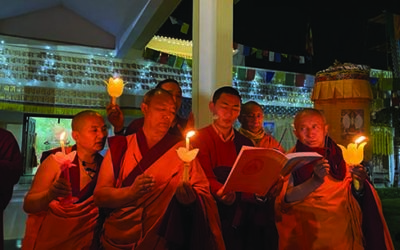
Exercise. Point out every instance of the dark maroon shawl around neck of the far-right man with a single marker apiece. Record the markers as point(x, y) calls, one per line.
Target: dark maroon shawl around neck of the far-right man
point(332, 153)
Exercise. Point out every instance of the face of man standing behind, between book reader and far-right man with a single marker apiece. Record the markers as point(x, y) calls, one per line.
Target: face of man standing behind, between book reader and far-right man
point(252, 118)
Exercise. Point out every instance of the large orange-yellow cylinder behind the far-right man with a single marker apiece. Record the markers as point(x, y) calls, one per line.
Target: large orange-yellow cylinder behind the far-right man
point(343, 93)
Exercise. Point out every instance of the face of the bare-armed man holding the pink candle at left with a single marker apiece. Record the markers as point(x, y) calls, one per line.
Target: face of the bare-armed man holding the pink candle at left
point(92, 134)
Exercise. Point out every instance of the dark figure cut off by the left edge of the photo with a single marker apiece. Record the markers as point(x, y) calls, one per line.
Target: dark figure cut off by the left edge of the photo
point(11, 170)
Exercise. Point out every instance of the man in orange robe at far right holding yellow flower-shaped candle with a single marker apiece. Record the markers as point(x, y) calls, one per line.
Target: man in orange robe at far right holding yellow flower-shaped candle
point(319, 207)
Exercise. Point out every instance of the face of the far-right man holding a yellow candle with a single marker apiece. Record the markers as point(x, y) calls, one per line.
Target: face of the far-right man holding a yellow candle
point(311, 130)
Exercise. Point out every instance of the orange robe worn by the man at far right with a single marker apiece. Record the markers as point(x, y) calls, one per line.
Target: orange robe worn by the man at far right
point(328, 218)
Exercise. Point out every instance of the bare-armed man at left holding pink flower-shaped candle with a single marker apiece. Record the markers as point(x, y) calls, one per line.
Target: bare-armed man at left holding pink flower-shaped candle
point(52, 222)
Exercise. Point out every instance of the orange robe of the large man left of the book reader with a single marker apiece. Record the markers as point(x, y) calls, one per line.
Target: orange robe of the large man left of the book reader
point(136, 226)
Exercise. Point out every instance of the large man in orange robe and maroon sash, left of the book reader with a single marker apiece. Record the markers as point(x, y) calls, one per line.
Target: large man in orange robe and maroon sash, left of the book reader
point(141, 184)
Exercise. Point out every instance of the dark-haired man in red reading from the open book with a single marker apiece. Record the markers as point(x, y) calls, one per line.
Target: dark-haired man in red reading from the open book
point(245, 221)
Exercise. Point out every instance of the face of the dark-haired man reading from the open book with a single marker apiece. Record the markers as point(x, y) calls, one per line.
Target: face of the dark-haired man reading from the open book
point(225, 111)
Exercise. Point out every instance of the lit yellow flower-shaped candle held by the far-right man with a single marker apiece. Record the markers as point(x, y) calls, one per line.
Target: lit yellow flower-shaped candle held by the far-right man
point(354, 155)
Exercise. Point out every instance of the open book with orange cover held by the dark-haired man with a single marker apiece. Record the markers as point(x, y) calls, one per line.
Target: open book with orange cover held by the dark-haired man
point(257, 169)
